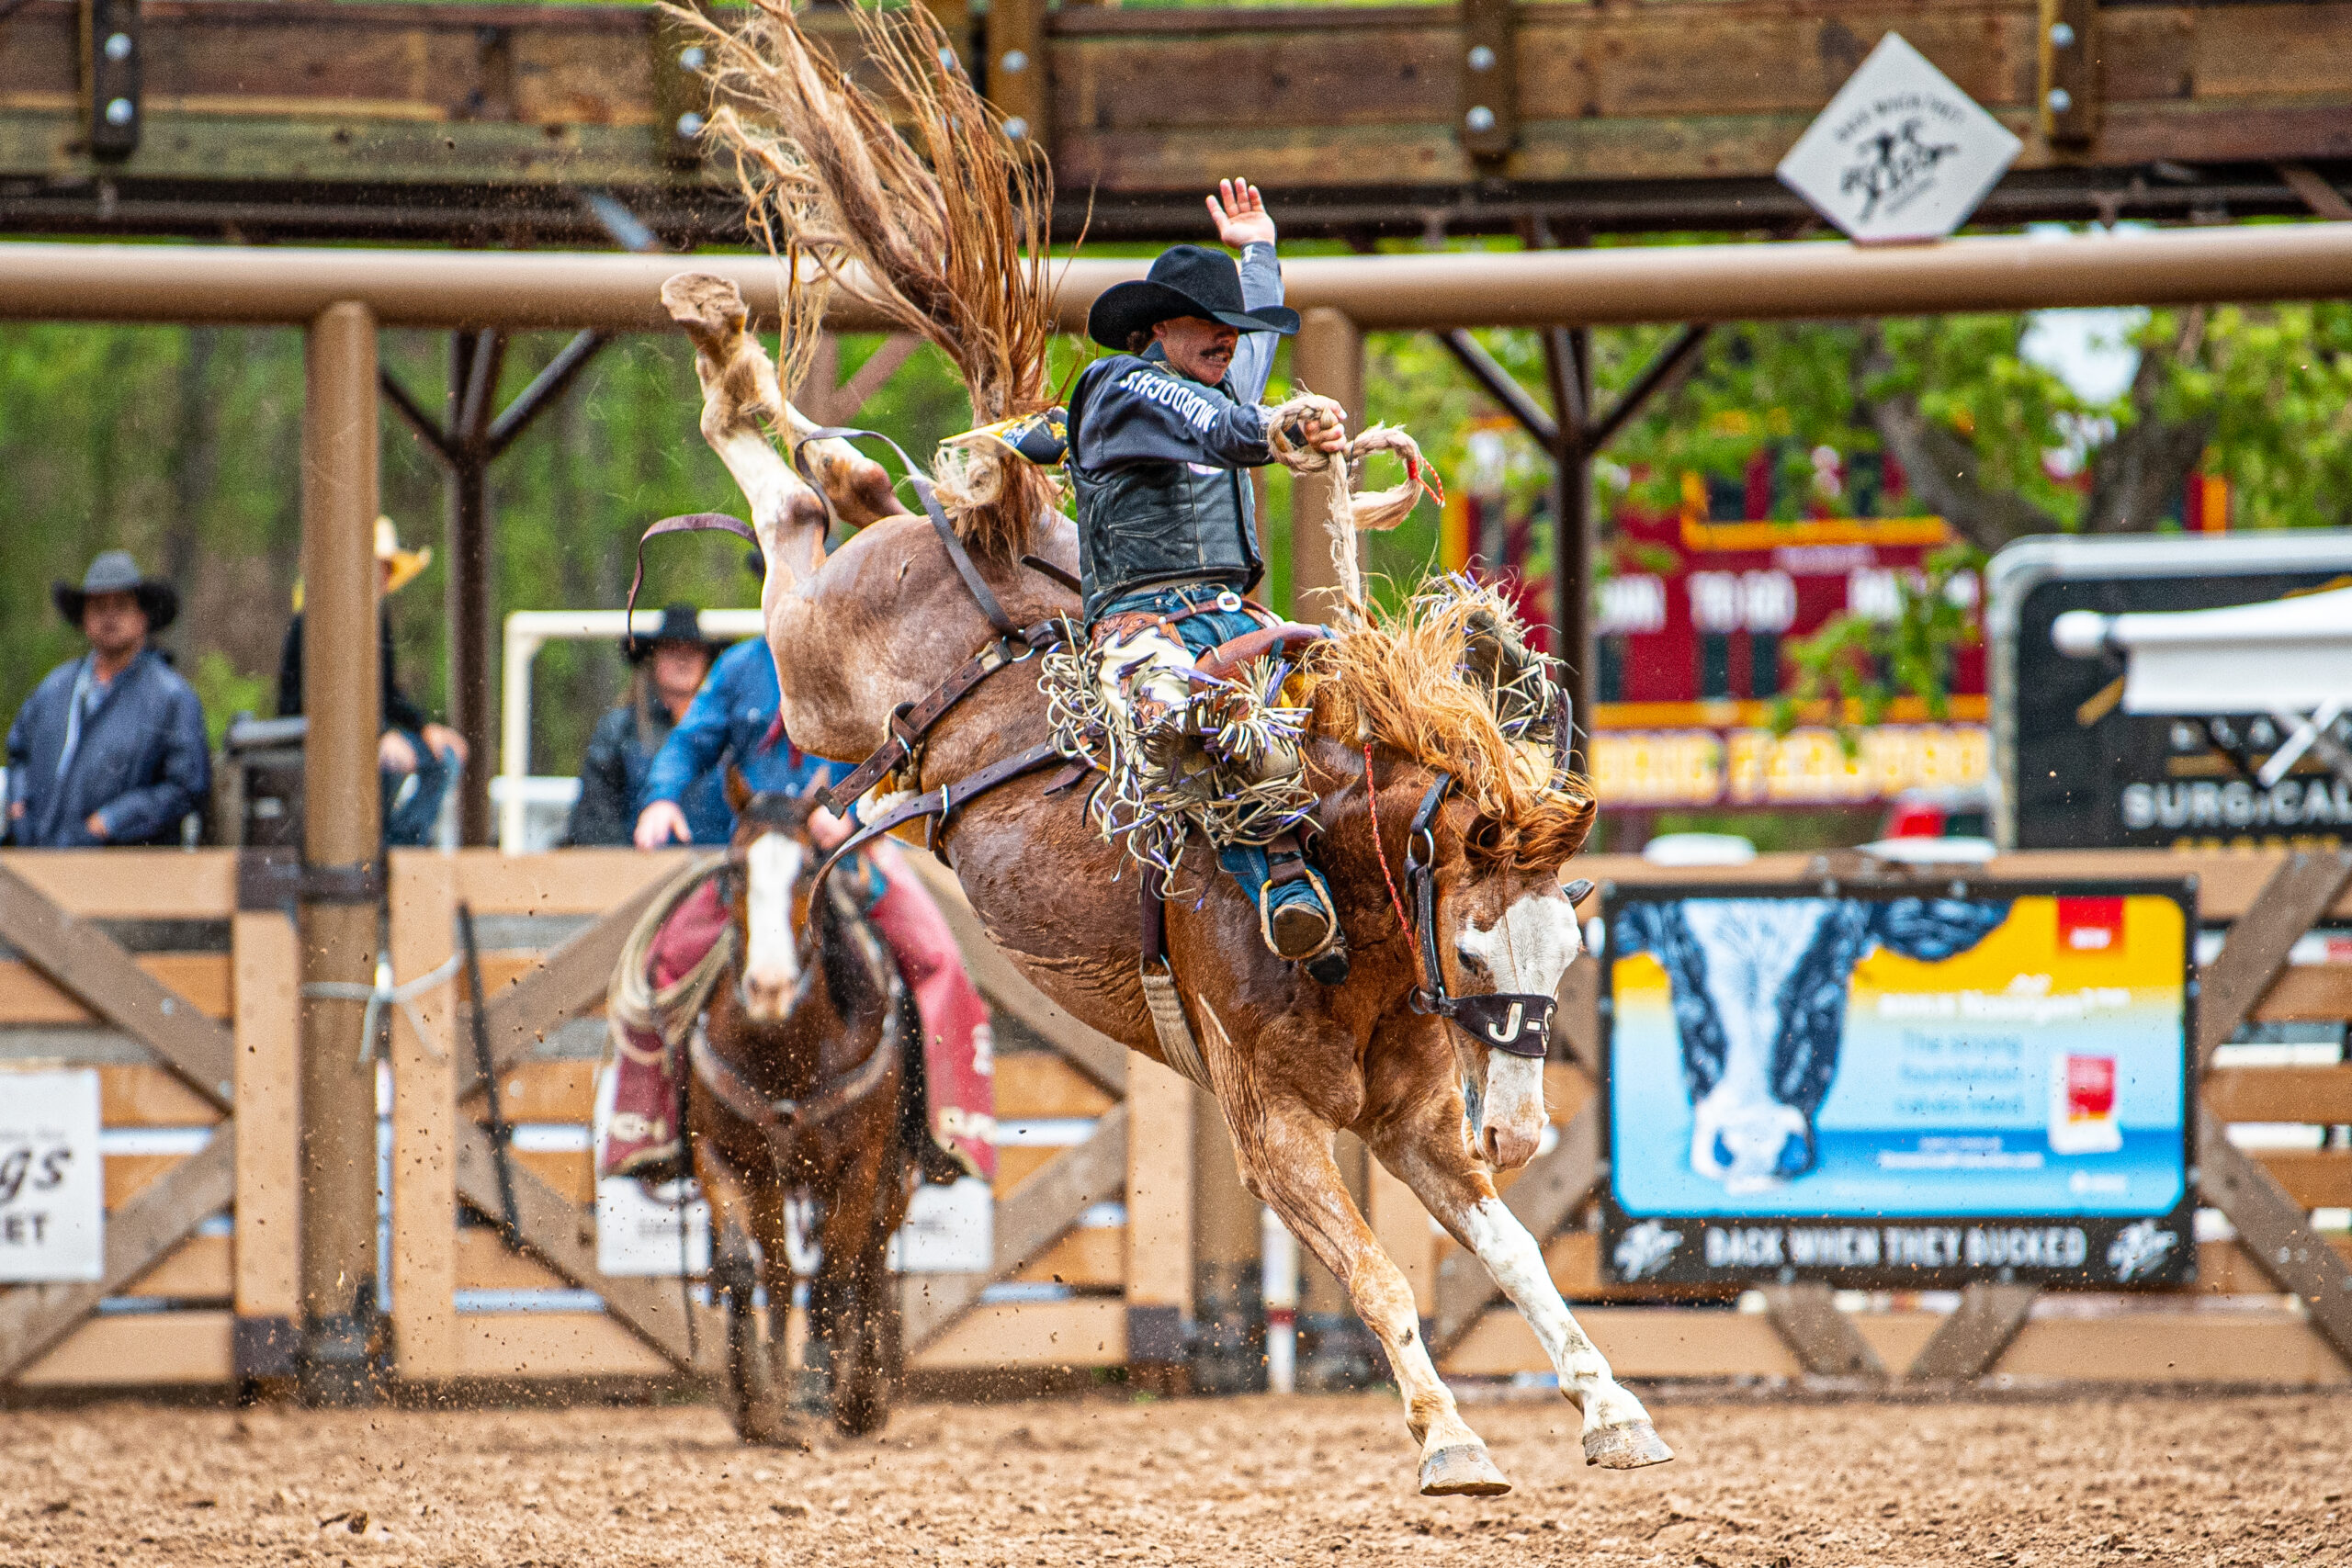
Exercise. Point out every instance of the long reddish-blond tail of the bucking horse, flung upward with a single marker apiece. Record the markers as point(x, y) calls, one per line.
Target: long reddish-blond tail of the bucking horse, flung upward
point(944, 215)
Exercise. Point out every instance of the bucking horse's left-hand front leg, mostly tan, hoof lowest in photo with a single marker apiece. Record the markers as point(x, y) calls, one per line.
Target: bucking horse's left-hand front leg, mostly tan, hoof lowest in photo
point(1288, 1162)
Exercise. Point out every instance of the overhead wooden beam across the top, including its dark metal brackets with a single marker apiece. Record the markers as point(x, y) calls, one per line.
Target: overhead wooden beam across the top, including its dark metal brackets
point(434, 121)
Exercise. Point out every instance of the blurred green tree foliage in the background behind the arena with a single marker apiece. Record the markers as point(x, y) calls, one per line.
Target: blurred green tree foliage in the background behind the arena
point(185, 448)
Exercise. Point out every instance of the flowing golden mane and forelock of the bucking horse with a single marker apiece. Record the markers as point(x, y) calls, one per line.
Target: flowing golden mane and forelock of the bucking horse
point(1396, 678)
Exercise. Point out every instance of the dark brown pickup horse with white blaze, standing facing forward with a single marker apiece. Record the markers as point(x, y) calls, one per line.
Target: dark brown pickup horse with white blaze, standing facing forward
point(803, 1080)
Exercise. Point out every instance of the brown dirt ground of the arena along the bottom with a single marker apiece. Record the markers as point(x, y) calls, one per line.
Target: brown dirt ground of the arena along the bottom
point(1184, 1482)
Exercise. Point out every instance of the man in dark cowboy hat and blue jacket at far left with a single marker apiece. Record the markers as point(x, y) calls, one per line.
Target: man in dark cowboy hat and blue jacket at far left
point(112, 746)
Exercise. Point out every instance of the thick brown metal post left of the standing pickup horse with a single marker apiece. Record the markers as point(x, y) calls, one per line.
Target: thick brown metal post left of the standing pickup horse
point(342, 850)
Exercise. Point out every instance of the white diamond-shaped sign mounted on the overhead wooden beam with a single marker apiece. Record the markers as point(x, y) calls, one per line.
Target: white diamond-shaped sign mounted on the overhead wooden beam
point(1899, 154)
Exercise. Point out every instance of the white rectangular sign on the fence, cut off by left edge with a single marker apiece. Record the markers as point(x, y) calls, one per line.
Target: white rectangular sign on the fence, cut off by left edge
point(53, 1193)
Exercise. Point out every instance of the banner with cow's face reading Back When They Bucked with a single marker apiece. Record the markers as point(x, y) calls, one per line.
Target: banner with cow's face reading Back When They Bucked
point(1911, 1087)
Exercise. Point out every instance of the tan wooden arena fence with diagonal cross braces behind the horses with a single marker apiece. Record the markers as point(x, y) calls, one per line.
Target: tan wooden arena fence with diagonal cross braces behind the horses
point(145, 965)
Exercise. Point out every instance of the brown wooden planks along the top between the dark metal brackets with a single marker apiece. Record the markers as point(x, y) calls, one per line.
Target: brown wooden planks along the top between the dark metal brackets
point(1307, 98)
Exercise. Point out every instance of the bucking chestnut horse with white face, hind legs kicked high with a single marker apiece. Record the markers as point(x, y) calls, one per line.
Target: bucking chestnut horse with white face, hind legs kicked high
point(888, 619)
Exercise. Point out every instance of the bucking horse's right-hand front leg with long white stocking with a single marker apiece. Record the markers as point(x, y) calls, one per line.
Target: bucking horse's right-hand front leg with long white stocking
point(1429, 1155)
